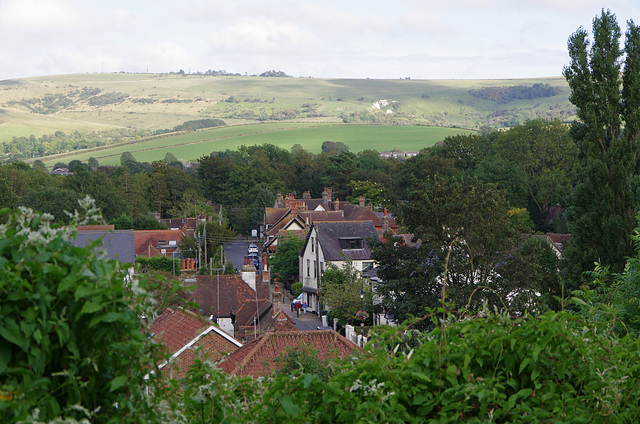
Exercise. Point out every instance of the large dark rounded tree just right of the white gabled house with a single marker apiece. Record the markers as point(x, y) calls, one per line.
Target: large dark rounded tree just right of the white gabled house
point(465, 223)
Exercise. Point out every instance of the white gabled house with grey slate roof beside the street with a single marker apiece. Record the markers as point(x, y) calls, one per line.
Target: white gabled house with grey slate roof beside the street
point(332, 243)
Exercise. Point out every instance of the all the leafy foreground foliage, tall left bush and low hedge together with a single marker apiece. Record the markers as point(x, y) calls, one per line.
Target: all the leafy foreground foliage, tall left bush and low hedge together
point(72, 349)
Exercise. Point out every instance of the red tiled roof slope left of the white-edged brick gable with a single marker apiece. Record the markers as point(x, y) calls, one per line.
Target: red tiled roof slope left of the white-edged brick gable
point(174, 329)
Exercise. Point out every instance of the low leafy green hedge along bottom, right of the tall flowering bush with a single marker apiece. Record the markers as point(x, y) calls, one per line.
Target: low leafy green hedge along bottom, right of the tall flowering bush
point(551, 368)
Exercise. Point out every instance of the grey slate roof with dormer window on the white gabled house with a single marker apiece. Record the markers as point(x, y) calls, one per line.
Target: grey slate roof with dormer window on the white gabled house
point(330, 233)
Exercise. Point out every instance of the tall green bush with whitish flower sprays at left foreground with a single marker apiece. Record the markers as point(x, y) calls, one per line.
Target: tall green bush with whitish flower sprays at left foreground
point(71, 344)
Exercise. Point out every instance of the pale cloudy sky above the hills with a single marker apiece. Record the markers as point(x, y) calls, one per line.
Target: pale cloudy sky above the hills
point(419, 39)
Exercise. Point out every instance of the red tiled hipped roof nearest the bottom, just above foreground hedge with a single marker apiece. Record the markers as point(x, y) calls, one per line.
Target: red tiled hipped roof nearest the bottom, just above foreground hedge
point(258, 358)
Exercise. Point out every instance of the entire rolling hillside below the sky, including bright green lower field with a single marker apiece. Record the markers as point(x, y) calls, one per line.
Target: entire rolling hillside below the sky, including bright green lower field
point(138, 105)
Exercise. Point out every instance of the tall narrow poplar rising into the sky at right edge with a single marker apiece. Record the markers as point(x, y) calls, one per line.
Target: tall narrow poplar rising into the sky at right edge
point(605, 88)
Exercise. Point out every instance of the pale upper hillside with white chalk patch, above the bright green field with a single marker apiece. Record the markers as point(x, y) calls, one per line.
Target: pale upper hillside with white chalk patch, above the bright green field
point(157, 101)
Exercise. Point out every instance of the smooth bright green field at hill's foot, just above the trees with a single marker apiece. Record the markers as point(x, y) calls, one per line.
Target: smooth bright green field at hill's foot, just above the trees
point(191, 146)
